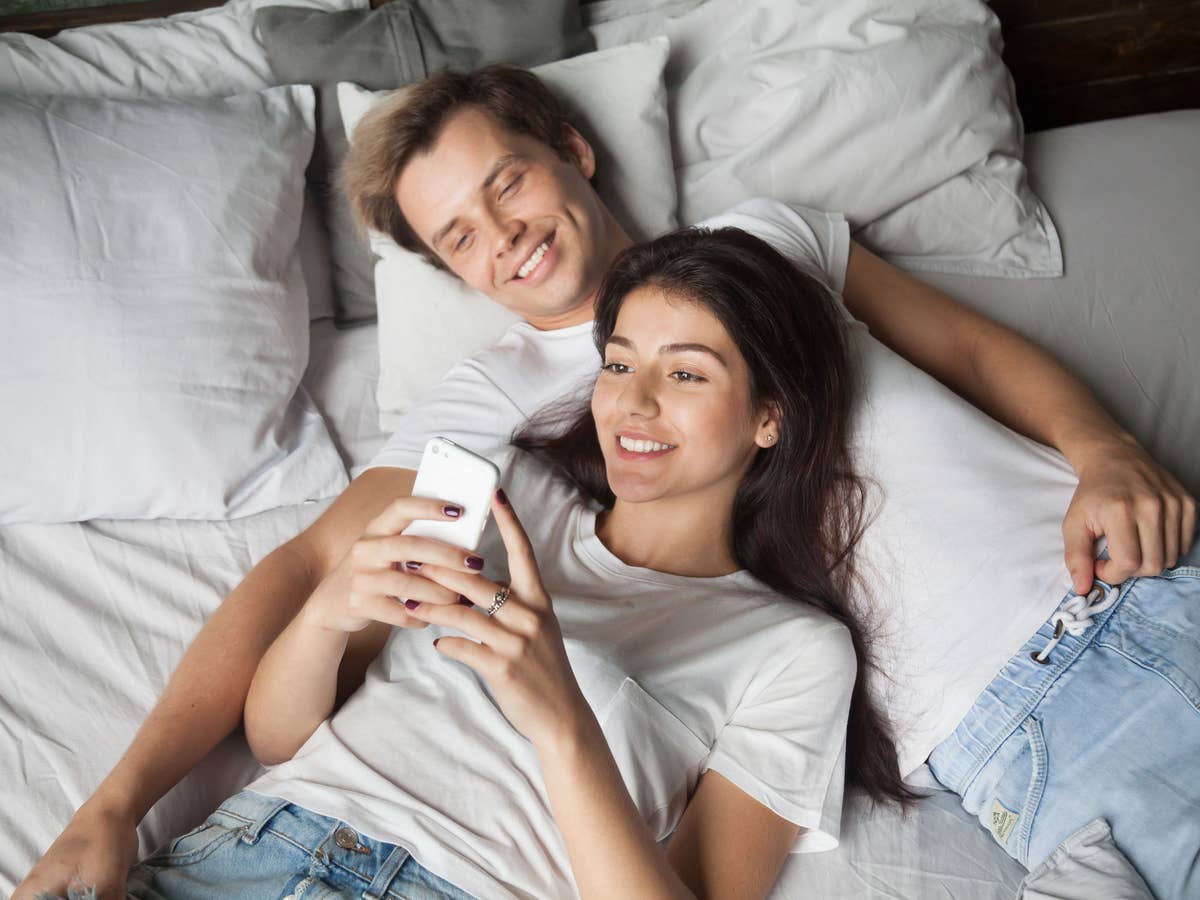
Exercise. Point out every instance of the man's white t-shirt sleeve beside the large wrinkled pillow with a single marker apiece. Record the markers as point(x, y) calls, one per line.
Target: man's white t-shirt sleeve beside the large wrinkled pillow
point(814, 241)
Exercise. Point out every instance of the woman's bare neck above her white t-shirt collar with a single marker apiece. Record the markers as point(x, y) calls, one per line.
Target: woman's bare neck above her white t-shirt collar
point(676, 536)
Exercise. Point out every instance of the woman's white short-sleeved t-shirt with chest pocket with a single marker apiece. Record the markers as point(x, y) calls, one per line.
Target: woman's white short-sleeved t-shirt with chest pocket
point(685, 675)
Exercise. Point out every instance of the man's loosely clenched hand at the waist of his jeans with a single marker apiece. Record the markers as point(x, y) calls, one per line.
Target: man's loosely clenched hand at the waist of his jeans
point(1148, 517)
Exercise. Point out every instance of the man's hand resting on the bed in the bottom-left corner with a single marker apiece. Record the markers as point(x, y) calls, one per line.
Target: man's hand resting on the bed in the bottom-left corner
point(98, 849)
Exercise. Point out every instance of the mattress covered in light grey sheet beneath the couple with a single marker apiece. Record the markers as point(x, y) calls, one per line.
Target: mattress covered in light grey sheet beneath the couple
point(95, 616)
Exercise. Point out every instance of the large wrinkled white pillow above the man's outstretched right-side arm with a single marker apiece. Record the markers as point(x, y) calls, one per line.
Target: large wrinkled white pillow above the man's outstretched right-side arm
point(901, 117)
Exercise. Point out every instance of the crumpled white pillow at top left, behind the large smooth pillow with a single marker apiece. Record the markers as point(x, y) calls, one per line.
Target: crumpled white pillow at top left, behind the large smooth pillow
point(208, 53)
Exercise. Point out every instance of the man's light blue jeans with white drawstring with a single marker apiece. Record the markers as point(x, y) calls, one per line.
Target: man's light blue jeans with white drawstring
point(1107, 728)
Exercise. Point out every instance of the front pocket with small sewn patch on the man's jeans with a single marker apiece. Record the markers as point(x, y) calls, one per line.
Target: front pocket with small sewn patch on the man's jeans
point(1009, 790)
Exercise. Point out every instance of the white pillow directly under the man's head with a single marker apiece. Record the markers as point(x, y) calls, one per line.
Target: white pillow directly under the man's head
point(619, 103)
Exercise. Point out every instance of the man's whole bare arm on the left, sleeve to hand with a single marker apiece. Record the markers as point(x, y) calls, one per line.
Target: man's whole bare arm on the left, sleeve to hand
point(203, 701)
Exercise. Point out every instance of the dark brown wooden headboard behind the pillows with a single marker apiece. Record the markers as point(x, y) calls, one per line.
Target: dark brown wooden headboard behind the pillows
point(1072, 61)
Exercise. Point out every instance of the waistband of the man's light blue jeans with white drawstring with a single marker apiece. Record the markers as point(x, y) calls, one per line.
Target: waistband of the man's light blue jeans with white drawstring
point(1015, 693)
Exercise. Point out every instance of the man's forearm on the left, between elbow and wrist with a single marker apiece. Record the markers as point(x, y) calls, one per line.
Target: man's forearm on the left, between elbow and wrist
point(203, 701)
